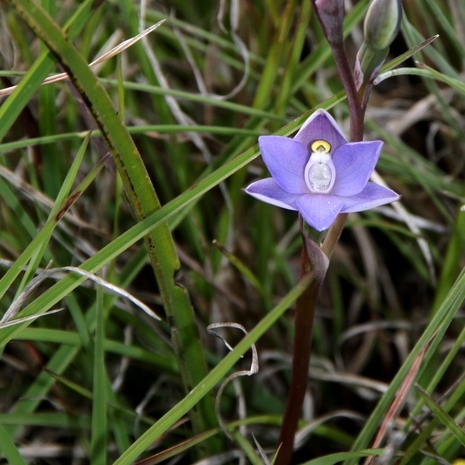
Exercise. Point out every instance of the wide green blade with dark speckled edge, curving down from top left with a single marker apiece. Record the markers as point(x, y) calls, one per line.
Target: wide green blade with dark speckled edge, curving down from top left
point(142, 196)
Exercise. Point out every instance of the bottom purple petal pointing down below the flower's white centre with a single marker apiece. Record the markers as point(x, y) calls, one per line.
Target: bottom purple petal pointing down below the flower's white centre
point(319, 210)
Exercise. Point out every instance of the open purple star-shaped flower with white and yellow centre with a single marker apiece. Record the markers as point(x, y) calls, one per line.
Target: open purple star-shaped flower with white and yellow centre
point(320, 174)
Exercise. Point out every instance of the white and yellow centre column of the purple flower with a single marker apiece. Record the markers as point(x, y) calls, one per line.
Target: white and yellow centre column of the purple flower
point(320, 172)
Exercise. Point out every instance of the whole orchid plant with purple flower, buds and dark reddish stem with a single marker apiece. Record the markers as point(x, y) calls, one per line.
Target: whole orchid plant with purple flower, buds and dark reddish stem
point(324, 177)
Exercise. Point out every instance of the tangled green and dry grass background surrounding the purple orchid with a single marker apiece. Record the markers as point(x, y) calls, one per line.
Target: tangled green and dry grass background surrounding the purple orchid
point(131, 172)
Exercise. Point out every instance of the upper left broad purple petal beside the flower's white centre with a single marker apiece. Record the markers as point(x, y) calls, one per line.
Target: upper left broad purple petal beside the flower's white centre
point(285, 159)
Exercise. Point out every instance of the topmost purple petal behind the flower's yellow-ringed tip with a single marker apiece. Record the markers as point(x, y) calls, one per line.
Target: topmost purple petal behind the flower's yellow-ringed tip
point(321, 125)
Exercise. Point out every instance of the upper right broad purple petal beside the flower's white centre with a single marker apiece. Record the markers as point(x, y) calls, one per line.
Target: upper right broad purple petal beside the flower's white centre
point(354, 163)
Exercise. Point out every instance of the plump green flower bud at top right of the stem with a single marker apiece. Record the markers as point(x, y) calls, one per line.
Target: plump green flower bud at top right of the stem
point(382, 23)
